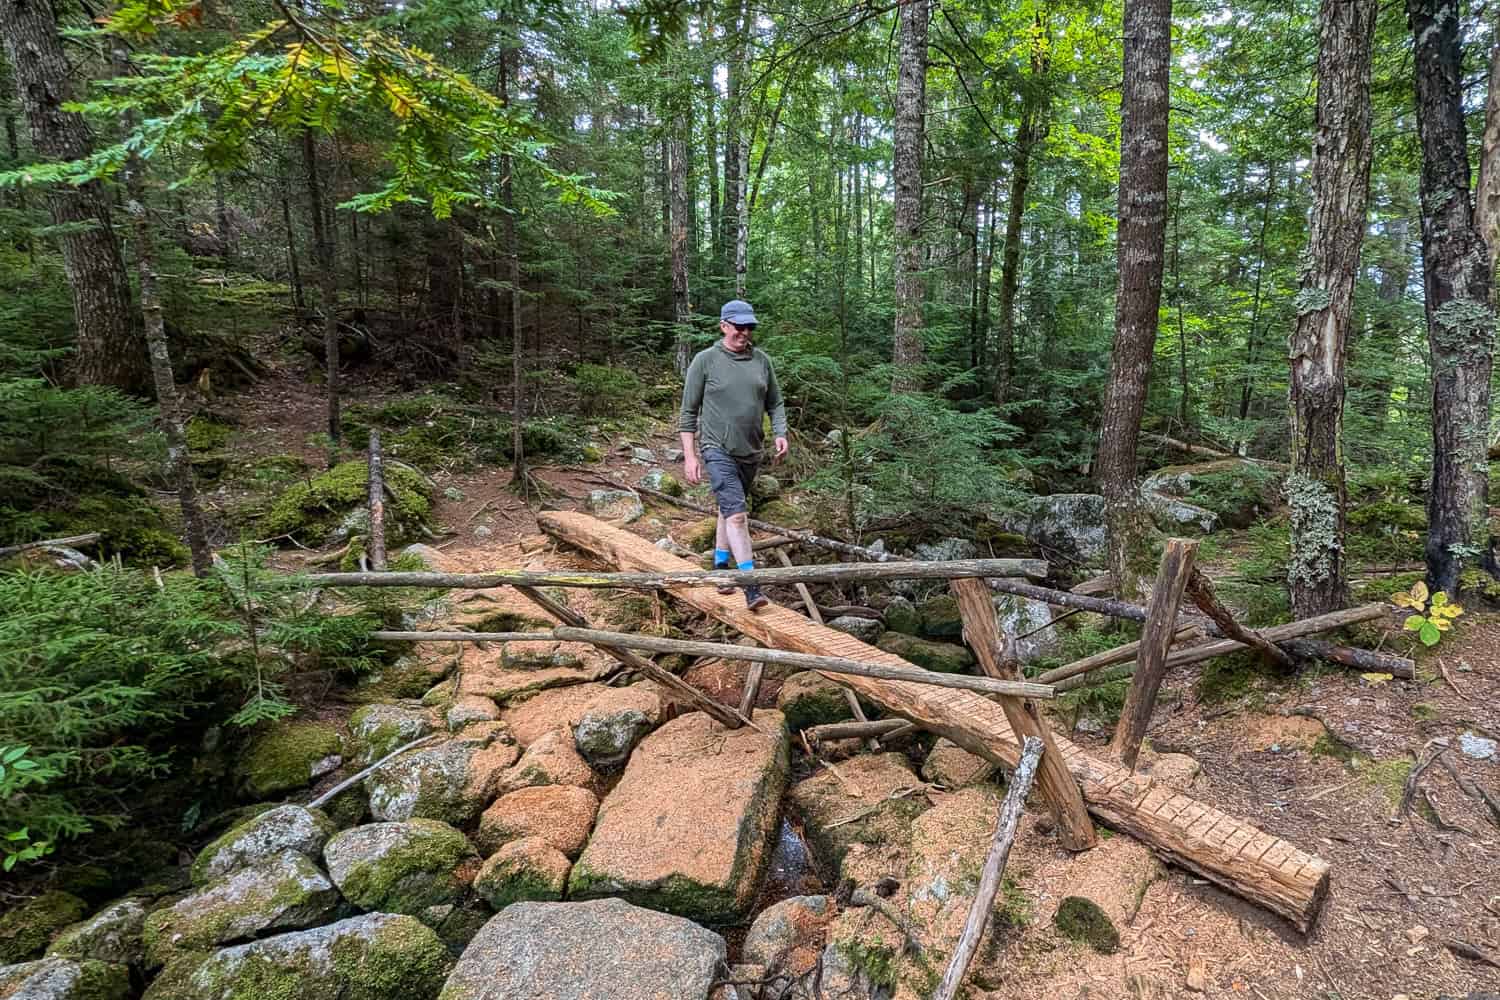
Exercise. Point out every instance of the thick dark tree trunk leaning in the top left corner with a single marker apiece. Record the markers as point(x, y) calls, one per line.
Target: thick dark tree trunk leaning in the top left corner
point(112, 350)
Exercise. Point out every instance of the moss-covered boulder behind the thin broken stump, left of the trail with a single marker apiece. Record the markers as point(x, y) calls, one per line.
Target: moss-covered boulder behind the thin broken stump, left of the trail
point(314, 512)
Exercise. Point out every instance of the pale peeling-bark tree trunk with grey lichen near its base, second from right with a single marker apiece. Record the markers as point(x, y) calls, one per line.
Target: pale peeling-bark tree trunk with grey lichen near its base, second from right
point(1342, 154)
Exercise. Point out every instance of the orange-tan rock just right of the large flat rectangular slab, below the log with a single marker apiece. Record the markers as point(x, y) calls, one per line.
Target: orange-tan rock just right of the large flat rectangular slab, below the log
point(878, 821)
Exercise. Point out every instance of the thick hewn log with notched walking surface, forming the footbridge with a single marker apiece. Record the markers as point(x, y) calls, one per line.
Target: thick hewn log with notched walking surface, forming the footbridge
point(1220, 848)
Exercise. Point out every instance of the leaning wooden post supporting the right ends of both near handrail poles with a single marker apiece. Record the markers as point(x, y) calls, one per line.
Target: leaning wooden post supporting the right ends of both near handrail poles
point(982, 629)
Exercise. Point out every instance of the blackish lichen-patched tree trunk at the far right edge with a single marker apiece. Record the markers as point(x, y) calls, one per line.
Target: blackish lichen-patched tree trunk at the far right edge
point(1460, 320)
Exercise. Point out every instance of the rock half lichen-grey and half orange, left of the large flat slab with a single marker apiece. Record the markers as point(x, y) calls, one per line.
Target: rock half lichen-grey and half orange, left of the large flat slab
point(452, 782)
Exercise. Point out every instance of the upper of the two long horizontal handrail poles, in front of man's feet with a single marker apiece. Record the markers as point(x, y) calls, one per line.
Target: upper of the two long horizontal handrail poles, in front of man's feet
point(817, 573)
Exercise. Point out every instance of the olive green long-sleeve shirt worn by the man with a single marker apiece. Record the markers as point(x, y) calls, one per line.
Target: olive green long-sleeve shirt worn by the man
point(725, 397)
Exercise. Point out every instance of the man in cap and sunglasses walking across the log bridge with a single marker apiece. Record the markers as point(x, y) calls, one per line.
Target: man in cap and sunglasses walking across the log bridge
point(730, 386)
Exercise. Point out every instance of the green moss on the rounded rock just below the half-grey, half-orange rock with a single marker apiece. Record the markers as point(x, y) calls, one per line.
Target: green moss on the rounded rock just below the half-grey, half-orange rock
point(409, 878)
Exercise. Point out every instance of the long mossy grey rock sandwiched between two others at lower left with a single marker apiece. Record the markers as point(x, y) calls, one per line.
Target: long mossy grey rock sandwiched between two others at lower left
point(281, 894)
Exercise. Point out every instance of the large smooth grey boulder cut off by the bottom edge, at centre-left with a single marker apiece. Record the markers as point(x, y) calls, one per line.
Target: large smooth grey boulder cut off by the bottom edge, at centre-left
point(580, 951)
